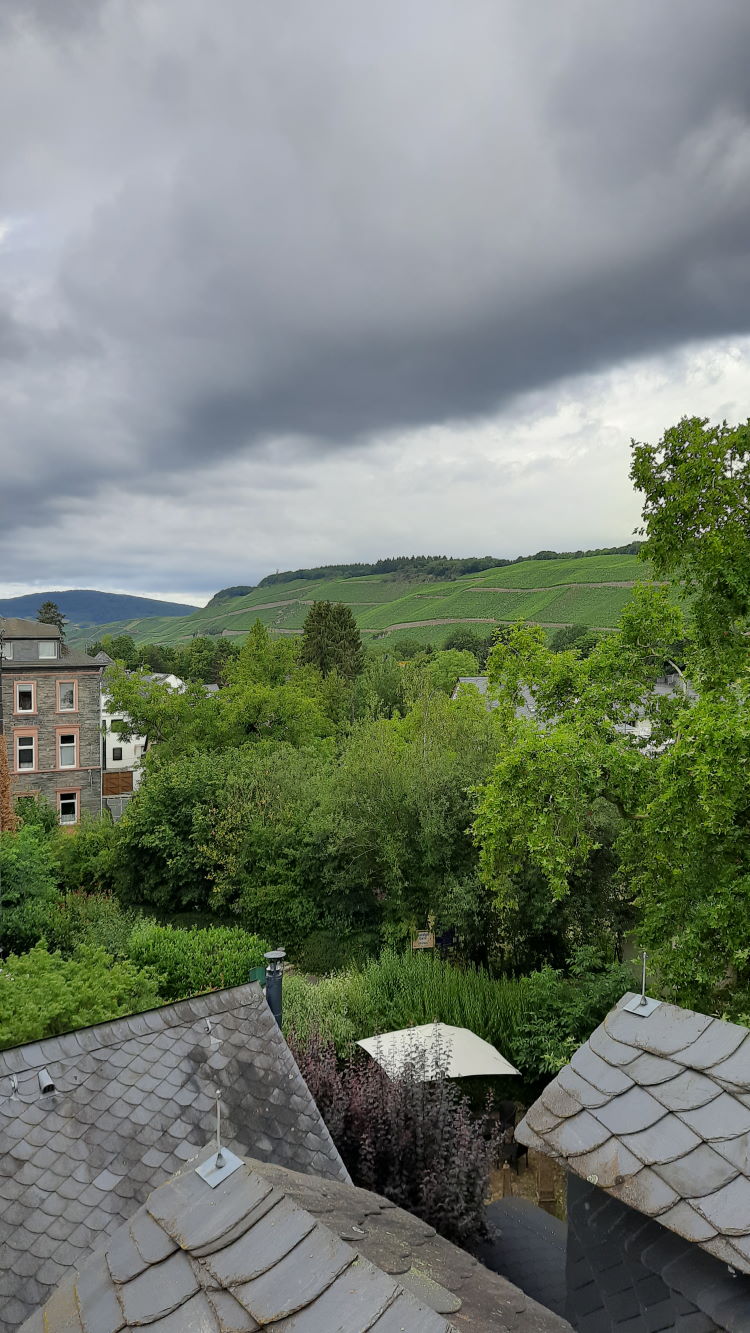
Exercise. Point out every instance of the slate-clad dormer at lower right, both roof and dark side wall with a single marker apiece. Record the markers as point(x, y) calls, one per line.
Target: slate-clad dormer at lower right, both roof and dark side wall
point(652, 1119)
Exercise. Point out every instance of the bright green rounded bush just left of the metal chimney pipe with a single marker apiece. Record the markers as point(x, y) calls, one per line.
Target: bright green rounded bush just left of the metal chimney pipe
point(190, 962)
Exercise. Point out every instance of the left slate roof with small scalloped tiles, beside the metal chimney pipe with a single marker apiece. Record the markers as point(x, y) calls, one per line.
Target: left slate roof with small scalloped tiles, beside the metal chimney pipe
point(134, 1100)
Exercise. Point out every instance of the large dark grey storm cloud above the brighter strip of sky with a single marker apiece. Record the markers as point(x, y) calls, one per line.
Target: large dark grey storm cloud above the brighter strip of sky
point(238, 222)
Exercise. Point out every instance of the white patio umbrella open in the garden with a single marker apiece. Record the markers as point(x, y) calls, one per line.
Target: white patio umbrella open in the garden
point(438, 1048)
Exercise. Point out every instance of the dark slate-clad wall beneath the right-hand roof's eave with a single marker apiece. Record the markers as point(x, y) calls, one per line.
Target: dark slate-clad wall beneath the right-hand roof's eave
point(625, 1274)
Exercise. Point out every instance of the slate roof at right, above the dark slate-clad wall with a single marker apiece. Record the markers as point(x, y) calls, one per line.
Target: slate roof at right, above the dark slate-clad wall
point(656, 1110)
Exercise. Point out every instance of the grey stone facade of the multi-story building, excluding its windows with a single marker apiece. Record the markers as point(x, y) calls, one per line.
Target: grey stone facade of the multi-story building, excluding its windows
point(49, 780)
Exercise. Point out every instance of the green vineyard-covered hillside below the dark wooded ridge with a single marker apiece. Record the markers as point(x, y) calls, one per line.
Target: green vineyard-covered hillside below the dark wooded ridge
point(589, 591)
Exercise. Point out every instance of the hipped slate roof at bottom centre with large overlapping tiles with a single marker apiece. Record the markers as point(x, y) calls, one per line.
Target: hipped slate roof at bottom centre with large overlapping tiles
point(275, 1248)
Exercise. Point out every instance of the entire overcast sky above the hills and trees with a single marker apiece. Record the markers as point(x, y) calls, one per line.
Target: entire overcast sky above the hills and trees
point(288, 283)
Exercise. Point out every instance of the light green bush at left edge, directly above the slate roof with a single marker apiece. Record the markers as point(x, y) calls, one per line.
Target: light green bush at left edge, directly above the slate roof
point(43, 994)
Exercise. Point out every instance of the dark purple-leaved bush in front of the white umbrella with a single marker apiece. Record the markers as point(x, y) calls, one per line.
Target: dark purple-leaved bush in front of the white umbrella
point(414, 1142)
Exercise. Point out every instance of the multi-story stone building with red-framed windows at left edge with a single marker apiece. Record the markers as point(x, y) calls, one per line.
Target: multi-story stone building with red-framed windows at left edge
point(50, 719)
